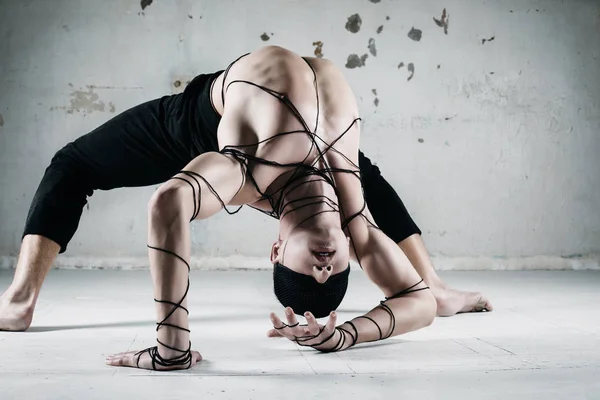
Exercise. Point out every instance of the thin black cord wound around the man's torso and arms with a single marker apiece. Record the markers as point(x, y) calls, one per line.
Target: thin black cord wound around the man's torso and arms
point(300, 170)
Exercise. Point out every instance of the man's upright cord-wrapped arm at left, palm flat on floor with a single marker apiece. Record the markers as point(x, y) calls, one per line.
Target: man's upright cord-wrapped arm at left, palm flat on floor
point(200, 190)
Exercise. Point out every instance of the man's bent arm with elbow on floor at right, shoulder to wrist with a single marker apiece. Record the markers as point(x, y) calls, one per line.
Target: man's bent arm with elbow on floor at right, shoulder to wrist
point(410, 306)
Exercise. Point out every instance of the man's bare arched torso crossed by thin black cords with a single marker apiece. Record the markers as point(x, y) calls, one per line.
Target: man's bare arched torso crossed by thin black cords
point(253, 117)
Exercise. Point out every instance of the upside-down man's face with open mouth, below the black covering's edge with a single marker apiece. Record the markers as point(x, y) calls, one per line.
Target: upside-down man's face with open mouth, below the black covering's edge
point(316, 252)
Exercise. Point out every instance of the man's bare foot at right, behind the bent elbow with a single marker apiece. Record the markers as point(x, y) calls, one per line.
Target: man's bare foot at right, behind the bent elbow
point(451, 302)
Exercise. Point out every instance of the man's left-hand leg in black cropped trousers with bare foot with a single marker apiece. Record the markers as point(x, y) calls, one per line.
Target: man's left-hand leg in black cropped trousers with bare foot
point(132, 149)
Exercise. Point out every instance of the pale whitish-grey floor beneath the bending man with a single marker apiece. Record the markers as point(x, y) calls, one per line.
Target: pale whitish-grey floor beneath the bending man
point(543, 341)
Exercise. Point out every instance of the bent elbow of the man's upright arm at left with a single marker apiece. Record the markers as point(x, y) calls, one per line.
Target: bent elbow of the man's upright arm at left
point(167, 204)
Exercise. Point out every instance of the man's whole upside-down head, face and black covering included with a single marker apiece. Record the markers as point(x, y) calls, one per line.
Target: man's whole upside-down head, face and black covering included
point(311, 269)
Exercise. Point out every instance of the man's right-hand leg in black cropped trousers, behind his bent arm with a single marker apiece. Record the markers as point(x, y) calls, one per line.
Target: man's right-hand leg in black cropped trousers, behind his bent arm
point(391, 216)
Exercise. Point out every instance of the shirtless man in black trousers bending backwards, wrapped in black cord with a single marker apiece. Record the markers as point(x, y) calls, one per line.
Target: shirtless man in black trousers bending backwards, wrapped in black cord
point(263, 145)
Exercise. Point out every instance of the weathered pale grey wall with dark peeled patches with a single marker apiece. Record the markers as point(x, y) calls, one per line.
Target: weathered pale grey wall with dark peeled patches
point(494, 146)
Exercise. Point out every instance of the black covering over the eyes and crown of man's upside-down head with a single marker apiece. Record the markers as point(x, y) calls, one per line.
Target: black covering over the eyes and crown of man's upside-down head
point(303, 293)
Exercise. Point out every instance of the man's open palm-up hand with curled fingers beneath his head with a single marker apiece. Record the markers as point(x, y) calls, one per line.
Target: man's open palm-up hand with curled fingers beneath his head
point(324, 338)
